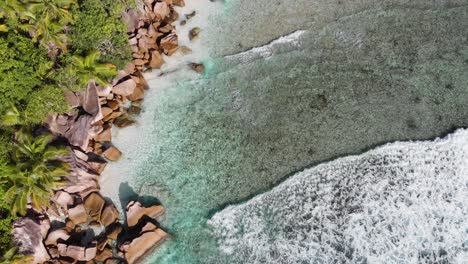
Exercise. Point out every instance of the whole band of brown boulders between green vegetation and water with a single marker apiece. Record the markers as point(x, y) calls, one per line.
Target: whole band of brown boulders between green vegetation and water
point(80, 225)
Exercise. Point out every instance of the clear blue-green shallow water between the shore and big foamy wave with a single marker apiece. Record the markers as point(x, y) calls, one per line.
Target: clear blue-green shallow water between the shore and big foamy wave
point(345, 84)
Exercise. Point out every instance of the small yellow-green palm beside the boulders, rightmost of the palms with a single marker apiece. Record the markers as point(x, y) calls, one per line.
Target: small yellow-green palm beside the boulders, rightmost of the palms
point(88, 68)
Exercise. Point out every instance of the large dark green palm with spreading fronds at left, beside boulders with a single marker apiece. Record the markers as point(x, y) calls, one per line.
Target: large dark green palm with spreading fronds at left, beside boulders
point(34, 173)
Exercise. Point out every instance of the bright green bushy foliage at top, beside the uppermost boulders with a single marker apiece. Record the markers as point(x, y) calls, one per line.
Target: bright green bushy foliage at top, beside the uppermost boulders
point(98, 26)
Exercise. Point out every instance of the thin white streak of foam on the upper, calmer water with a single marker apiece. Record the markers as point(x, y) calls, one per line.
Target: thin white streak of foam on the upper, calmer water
point(282, 44)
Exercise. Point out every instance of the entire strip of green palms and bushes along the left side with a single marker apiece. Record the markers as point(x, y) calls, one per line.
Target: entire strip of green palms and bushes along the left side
point(47, 46)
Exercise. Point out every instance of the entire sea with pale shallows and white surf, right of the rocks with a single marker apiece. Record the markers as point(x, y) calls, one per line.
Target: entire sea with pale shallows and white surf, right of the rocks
point(272, 154)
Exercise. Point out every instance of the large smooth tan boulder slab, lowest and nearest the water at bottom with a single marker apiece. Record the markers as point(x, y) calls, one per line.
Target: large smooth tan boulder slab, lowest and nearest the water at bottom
point(143, 244)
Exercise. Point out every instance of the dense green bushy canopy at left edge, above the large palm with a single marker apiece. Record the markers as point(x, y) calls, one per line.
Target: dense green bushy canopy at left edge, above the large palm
point(23, 72)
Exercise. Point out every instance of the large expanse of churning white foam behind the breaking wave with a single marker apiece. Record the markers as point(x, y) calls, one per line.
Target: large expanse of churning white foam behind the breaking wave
point(400, 203)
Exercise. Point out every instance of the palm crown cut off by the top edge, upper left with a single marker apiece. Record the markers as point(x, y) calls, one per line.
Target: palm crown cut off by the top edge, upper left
point(56, 9)
